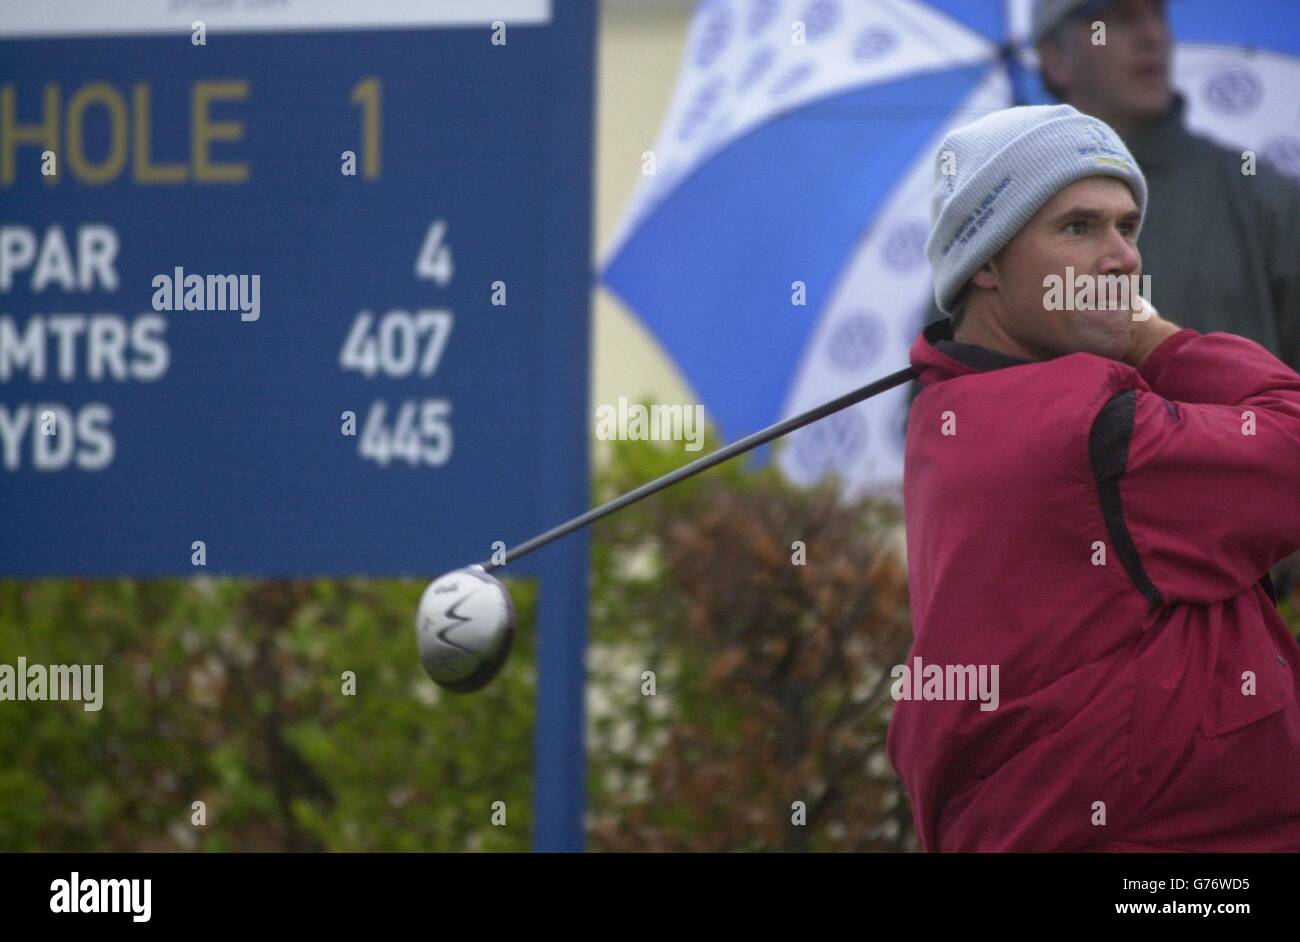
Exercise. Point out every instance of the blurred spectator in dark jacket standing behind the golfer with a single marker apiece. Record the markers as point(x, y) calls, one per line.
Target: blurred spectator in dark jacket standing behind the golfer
point(1223, 248)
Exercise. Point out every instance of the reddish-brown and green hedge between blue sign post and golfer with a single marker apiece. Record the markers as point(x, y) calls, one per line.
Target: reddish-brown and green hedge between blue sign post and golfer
point(770, 618)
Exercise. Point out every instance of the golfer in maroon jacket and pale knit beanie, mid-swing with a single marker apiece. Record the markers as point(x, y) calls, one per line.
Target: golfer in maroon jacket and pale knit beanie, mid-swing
point(1094, 498)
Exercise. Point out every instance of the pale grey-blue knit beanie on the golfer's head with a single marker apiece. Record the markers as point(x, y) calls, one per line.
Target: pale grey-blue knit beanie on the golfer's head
point(993, 176)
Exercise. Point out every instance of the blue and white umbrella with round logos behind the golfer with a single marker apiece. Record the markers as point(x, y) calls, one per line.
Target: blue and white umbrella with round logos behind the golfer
point(795, 164)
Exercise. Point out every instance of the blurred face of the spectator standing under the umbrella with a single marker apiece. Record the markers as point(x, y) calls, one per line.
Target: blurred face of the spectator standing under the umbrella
point(1124, 83)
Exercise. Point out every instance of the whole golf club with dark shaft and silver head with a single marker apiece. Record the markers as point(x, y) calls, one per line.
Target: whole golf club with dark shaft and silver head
point(466, 620)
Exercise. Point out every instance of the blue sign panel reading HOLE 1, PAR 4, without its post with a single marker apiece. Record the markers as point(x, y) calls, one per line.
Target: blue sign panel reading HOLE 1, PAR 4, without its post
point(291, 289)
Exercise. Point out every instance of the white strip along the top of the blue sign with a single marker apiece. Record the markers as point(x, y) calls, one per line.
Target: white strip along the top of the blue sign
point(123, 18)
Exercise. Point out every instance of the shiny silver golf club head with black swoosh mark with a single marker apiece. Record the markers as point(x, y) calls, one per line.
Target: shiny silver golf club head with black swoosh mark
point(465, 628)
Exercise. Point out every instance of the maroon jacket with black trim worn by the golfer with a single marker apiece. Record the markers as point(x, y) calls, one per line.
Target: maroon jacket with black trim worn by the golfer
point(1103, 536)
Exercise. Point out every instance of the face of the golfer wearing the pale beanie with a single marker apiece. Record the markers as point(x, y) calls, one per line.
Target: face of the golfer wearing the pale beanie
point(1090, 227)
